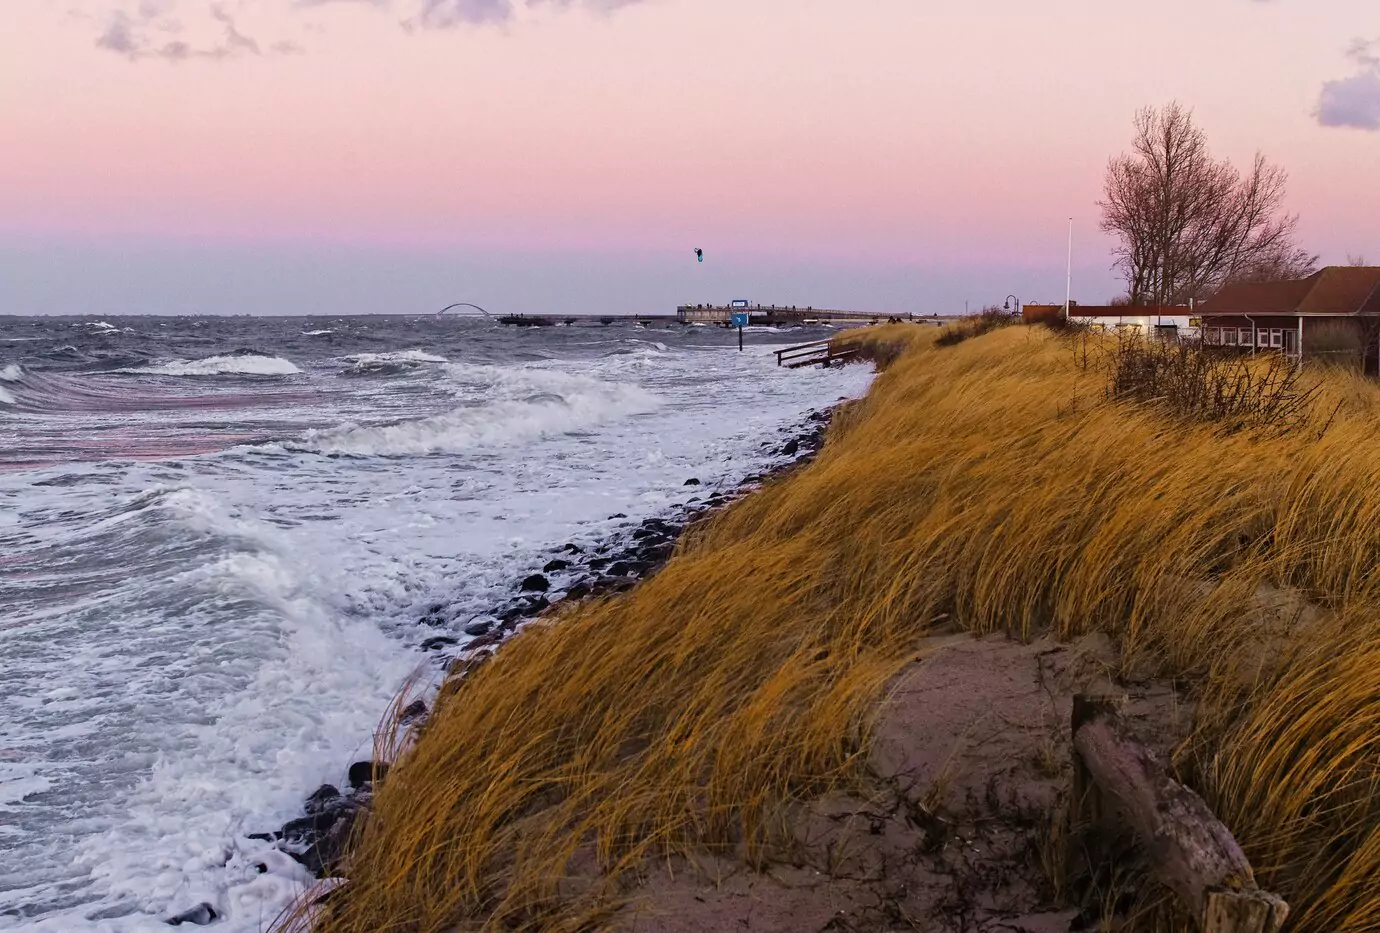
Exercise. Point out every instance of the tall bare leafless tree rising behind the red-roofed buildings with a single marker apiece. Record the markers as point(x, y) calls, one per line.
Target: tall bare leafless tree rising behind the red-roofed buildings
point(1186, 223)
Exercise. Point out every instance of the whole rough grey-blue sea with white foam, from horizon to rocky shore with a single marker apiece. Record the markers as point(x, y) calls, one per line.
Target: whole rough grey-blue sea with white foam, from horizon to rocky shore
point(217, 536)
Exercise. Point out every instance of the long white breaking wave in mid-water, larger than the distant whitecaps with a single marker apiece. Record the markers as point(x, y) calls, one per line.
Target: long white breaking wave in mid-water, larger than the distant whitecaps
point(522, 406)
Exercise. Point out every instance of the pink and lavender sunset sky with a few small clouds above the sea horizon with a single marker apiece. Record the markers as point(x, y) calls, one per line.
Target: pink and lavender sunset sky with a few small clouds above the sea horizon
point(315, 157)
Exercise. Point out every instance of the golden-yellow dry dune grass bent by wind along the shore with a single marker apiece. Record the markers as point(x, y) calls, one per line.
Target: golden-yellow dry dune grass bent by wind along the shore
point(990, 485)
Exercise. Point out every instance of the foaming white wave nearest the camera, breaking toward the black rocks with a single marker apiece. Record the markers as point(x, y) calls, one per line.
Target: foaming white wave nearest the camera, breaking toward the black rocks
point(226, 729)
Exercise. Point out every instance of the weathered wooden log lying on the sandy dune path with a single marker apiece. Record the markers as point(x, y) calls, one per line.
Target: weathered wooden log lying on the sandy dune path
point(1116, 776)
